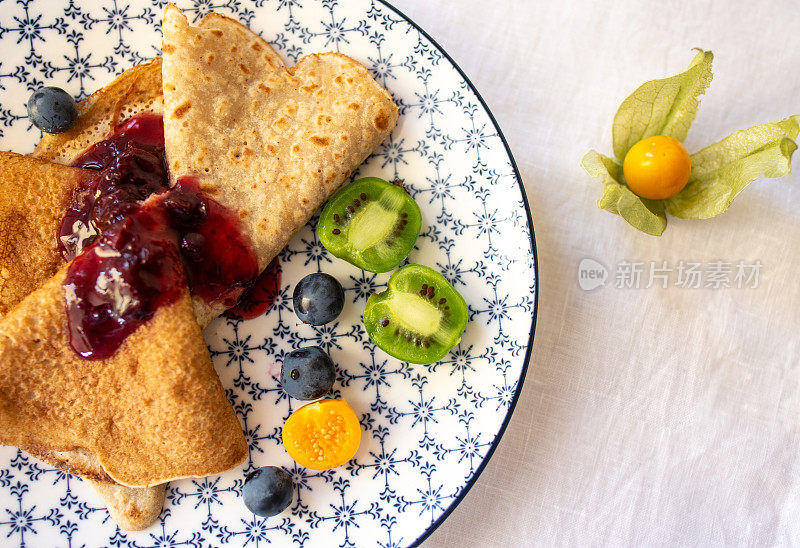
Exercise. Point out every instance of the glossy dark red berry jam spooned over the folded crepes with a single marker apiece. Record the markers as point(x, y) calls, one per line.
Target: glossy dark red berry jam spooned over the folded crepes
point(134, 256)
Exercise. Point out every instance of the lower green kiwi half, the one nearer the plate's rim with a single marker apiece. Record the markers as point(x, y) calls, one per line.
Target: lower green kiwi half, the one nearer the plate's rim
point(419, 317)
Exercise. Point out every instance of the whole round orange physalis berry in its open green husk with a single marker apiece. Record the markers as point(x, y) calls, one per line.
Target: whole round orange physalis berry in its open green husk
point(657, 167)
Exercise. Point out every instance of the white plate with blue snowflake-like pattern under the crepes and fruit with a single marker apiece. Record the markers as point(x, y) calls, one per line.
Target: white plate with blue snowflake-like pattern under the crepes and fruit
point(428, 430)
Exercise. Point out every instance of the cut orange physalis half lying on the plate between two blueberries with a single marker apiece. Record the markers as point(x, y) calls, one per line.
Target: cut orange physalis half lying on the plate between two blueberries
point(322, 435)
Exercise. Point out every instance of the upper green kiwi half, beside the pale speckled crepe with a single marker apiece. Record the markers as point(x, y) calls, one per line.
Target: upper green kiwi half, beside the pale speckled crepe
point(371, 224)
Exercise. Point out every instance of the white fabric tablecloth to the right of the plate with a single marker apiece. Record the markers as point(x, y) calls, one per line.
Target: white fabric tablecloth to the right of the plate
point(649, 416)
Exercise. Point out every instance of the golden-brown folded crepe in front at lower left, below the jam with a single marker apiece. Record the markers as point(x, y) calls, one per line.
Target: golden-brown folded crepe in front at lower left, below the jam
point(153, 412)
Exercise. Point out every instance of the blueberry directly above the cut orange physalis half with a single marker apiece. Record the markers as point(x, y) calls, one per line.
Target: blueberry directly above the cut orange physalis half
point(307, 373)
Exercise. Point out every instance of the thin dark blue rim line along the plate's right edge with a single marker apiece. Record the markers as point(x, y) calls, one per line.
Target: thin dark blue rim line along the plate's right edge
point(465, 490)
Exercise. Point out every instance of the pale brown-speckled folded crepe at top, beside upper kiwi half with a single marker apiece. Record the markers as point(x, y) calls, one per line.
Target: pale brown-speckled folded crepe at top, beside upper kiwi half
point(269, 142)
